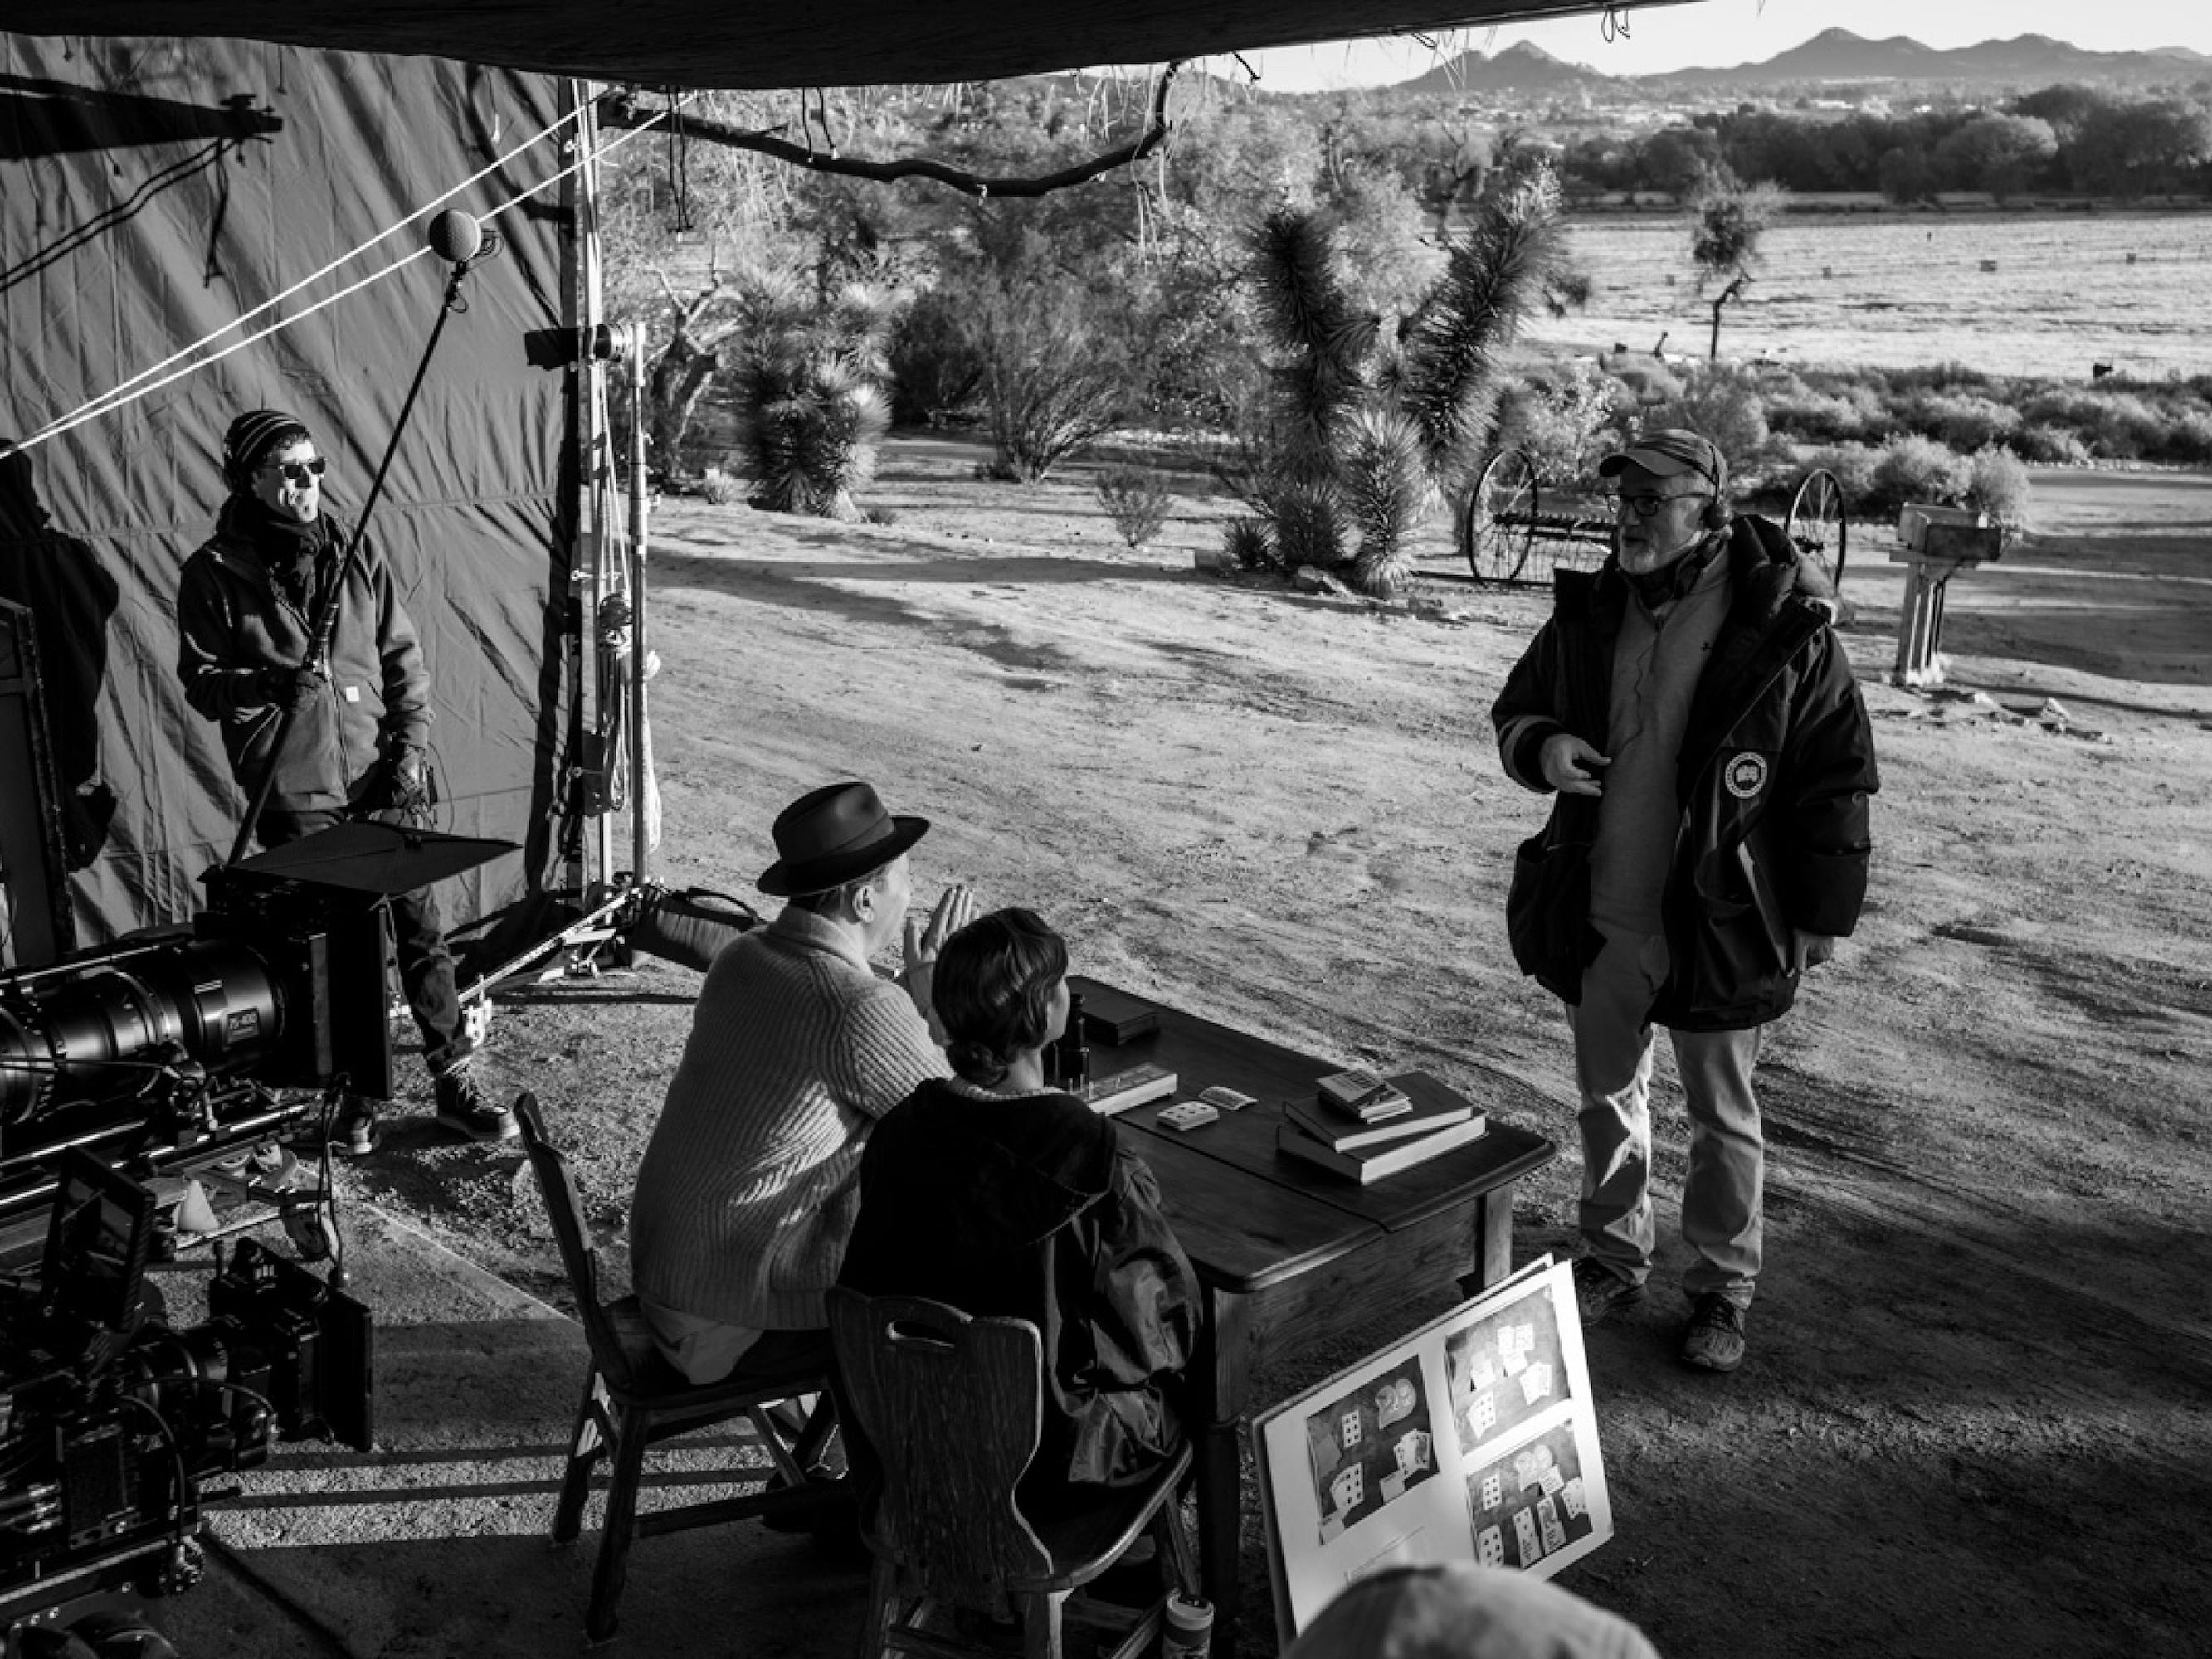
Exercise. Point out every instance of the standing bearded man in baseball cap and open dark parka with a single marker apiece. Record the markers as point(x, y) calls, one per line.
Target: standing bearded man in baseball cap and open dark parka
point(1711, 762)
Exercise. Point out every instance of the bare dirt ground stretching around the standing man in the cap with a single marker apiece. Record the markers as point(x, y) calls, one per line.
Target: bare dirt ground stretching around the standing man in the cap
point(1976, 1410)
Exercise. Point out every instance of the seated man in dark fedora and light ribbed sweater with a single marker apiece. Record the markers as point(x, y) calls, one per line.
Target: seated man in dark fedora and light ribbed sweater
point(753, 1176)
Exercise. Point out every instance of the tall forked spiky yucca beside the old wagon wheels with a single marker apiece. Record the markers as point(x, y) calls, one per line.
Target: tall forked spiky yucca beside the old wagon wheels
point(1368, 435)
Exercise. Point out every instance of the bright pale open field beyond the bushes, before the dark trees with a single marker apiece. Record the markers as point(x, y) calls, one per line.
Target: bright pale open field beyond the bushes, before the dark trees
point(1901, 291)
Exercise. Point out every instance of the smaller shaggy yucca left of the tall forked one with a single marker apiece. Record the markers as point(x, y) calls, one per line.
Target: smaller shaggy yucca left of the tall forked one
point(811, 393)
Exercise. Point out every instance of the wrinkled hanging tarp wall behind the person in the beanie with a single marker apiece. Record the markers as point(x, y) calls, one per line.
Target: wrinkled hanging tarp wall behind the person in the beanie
point(154, 191)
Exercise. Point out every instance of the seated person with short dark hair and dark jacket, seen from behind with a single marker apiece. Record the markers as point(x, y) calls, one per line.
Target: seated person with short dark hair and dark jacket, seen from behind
point(1008, 1198)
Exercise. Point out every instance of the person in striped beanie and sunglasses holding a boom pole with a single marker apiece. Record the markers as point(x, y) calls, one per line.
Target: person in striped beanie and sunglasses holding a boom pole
point(359, 720)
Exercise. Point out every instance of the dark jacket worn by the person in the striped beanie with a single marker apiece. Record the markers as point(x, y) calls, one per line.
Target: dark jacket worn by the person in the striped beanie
point(233, 623)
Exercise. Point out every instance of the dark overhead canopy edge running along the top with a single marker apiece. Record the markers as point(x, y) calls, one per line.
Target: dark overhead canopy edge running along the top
point(747, 43)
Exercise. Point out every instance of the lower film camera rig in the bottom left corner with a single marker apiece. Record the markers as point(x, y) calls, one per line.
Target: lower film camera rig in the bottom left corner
point(112, 1417)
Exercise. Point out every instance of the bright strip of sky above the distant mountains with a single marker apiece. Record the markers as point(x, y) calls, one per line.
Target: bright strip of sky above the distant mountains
point(1722, 34)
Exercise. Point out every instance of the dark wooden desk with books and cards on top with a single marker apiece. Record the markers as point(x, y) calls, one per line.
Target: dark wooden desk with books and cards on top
point(1293, 1255)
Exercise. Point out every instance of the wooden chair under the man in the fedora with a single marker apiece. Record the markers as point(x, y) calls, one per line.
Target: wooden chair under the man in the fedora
point(634, 1399)
